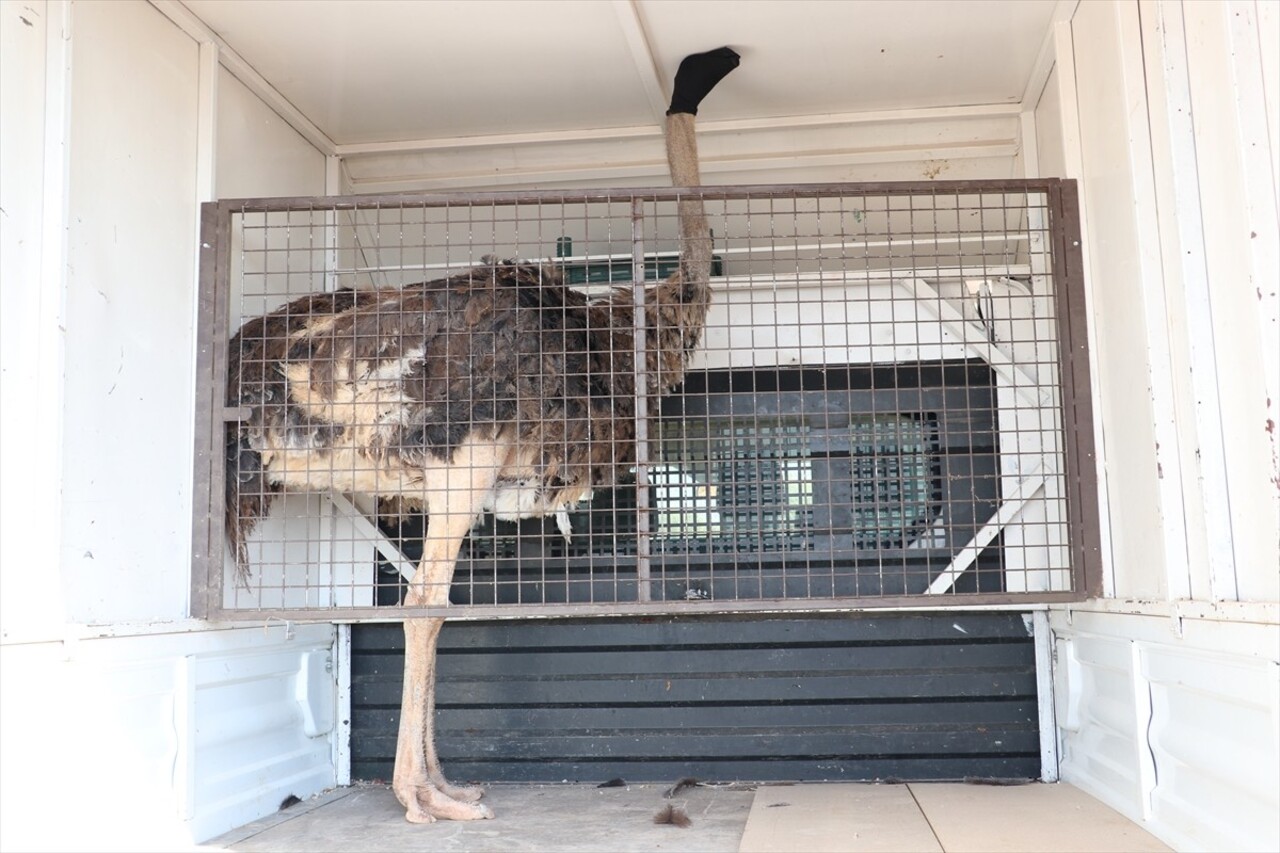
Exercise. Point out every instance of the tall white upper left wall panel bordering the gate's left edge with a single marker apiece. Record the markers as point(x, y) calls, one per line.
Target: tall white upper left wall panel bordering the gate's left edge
point(130, 303)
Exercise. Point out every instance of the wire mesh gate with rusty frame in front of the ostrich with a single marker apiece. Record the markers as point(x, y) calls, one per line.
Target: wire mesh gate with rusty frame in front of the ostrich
point(874, 395)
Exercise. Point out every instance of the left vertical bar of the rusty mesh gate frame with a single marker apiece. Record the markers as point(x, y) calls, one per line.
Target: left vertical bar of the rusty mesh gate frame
point(209, 476)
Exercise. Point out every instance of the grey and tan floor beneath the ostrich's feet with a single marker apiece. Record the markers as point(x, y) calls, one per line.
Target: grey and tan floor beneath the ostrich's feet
point(776, 819)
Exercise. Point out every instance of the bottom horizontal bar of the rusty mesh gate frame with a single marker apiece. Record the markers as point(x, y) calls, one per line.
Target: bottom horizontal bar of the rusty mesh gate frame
point(953, 601)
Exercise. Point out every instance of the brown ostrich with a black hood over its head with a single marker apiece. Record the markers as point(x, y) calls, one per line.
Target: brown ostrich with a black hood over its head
point(499, 390)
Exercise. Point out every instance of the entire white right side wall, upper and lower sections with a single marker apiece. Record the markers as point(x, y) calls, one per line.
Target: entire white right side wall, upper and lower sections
point(1167, 714)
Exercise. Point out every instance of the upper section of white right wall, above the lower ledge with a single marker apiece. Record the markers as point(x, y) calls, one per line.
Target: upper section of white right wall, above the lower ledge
point(1182, 239)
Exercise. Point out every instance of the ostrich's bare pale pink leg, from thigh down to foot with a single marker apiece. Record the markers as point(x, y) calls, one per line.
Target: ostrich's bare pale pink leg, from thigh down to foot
point(455, 495)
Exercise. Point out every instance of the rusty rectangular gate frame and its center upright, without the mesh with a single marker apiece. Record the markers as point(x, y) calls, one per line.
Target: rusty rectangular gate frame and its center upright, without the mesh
point(1071, 323)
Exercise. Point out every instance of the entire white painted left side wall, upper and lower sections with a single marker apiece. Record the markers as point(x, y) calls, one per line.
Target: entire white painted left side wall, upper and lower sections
point(167, 737)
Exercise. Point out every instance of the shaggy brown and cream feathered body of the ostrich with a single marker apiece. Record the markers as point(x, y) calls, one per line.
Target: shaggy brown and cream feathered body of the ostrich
point(501, 348)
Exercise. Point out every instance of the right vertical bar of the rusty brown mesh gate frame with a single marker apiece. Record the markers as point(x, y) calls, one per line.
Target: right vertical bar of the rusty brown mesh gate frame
point(1081, 463)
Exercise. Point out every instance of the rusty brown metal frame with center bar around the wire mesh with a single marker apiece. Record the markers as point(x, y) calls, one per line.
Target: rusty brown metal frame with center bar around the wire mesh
point(1082, 478)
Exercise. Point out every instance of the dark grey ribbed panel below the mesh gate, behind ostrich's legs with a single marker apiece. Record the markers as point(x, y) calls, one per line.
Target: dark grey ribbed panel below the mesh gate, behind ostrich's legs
point(926, 696)
